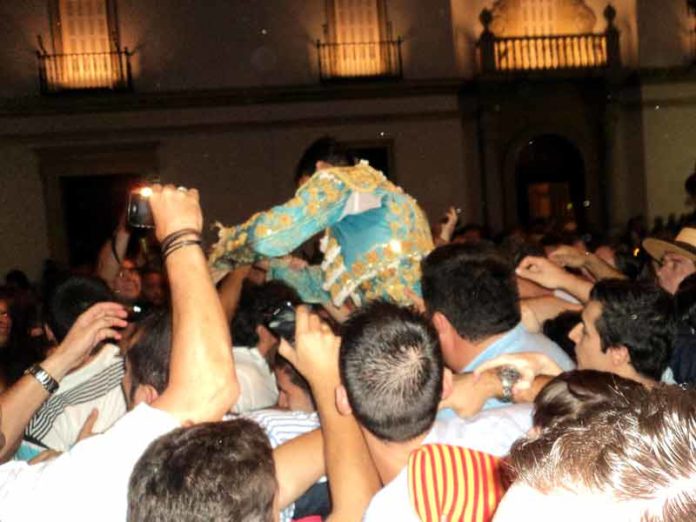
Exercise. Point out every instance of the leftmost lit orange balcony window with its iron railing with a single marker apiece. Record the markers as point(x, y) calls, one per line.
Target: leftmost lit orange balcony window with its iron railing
point(86, 47)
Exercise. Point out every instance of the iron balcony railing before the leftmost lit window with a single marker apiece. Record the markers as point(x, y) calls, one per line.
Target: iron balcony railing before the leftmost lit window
point(88, 71)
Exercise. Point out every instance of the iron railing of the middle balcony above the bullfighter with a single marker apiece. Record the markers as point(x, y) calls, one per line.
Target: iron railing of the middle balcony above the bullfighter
point(359, 60)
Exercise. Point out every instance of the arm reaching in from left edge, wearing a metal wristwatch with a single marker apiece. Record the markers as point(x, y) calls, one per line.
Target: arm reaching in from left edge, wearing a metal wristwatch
point(19, 403)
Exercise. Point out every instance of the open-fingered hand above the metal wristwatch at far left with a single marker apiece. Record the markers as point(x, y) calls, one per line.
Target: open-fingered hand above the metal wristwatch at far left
point(95, 325)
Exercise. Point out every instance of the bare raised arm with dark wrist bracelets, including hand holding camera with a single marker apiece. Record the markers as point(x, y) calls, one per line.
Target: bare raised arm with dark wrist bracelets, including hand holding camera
point(202, 382)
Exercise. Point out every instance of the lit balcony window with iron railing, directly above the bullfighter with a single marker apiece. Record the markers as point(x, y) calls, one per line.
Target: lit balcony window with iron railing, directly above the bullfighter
point(358, 41)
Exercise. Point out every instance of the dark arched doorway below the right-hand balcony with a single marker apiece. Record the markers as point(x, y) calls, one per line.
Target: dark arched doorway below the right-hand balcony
point(550, 181)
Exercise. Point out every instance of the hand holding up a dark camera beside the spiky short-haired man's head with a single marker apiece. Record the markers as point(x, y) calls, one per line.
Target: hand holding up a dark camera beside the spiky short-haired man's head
point(315, 354)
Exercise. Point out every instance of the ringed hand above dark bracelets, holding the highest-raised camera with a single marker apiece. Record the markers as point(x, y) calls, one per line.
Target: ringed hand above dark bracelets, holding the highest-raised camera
point(174, 210)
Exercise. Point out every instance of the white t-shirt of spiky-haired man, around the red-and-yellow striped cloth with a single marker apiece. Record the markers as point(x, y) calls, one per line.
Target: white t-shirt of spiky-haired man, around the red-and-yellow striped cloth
point(492, 431)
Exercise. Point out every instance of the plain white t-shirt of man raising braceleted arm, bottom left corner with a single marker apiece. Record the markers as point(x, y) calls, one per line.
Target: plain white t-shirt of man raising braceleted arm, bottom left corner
point(87, 483)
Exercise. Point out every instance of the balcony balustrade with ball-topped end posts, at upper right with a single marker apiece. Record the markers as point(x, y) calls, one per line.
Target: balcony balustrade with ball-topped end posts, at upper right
point(549, 52)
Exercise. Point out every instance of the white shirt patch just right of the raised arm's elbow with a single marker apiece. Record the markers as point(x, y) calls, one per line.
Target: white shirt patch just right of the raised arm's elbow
point(257, 384)
